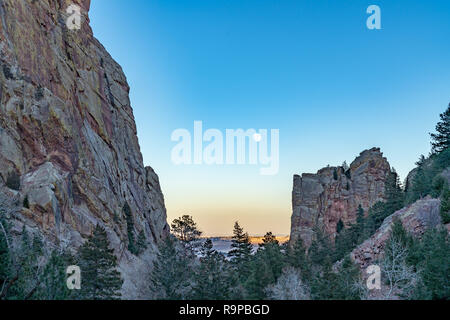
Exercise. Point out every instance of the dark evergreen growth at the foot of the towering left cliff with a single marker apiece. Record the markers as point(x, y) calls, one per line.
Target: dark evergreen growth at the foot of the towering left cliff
point(31, 271)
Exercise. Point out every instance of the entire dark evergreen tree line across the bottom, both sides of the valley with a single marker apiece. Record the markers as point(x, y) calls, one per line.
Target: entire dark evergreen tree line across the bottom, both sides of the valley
point(188, 267)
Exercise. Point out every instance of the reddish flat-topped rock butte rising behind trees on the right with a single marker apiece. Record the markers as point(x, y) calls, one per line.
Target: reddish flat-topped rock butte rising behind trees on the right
point(334, 193)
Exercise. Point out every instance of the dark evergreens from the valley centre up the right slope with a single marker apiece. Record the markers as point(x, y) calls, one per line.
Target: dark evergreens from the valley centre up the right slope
point(412, 268)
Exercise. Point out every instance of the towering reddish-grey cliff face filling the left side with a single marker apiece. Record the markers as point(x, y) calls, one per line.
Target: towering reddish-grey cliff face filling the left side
point(68, 133)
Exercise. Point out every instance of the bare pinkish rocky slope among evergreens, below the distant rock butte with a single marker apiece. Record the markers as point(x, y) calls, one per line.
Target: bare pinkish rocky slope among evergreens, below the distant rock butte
point(416, 219)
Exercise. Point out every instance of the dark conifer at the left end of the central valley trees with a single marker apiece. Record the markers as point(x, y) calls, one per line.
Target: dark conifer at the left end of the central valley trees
point(171, 272)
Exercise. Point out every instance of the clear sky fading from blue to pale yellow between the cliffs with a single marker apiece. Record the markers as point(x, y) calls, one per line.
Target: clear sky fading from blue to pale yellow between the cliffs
point(311, 69)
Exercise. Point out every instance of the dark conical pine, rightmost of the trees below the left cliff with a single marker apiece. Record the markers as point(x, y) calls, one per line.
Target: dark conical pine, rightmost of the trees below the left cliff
point(99, 278)
